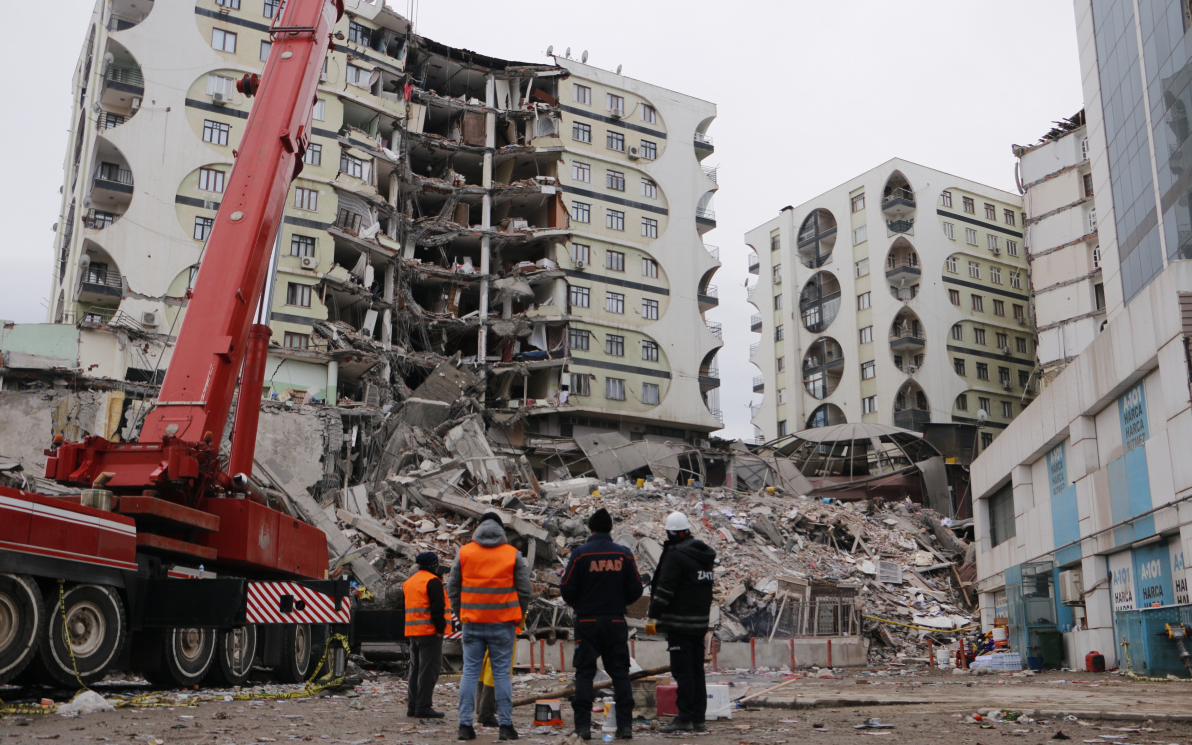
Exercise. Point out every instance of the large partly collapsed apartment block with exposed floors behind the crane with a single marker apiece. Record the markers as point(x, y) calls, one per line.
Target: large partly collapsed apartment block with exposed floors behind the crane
point(542, 223)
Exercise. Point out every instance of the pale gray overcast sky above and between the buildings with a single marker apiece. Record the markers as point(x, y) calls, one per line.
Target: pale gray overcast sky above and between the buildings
point(810, 95)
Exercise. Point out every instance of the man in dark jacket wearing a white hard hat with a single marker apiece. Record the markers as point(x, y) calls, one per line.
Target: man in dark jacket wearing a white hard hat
point(681, 601)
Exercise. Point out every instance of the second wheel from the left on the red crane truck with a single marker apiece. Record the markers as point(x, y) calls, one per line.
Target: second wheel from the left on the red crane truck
point(96, 629)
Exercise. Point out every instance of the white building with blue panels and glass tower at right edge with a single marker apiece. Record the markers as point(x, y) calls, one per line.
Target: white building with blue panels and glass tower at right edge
point(1083, 520)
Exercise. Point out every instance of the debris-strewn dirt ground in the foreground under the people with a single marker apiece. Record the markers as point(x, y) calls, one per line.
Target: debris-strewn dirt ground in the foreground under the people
point(927, 706)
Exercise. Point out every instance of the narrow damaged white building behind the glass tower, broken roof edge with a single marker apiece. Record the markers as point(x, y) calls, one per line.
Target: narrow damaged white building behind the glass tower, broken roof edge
point(1057, 181)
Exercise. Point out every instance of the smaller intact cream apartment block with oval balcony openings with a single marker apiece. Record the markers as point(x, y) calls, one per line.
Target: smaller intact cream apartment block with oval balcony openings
point(899, 297)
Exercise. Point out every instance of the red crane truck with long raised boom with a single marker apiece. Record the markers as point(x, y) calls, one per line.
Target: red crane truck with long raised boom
point(167, 562)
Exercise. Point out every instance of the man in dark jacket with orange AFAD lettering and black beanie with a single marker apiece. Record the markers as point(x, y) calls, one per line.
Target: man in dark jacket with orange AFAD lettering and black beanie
point(600, 581)
